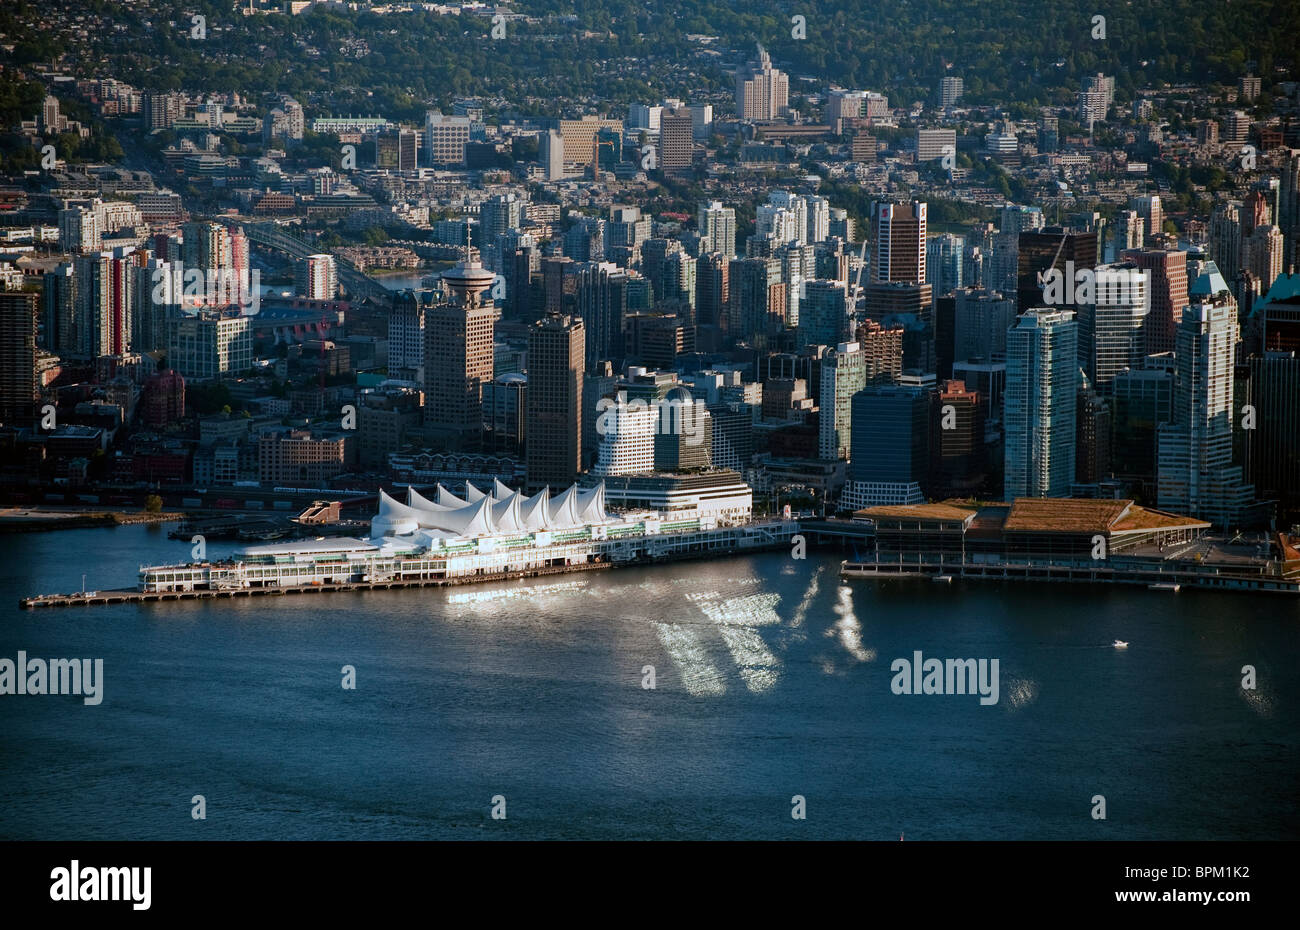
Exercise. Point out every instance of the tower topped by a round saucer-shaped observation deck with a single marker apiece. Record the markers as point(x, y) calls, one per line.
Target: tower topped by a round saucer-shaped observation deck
point(460, 335)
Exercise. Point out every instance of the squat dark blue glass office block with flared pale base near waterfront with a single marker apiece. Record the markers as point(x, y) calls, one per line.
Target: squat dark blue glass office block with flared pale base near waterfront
point(890, 461)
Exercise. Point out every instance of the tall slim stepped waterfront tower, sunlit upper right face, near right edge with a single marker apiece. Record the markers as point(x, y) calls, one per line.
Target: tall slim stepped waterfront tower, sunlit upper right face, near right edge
point(1197, 475)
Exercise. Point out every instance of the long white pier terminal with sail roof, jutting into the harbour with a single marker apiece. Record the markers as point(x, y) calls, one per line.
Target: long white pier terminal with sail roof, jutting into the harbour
point(482, 537)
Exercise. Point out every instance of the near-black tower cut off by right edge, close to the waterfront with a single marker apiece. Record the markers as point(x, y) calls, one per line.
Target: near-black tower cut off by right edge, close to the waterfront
point(1275, 444)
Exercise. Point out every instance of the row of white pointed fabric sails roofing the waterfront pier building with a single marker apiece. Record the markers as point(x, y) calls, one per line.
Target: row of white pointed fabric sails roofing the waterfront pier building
point(501, 513)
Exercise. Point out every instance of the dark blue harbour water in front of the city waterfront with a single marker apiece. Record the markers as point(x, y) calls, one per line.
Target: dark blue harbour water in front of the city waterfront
point(773, 680)
